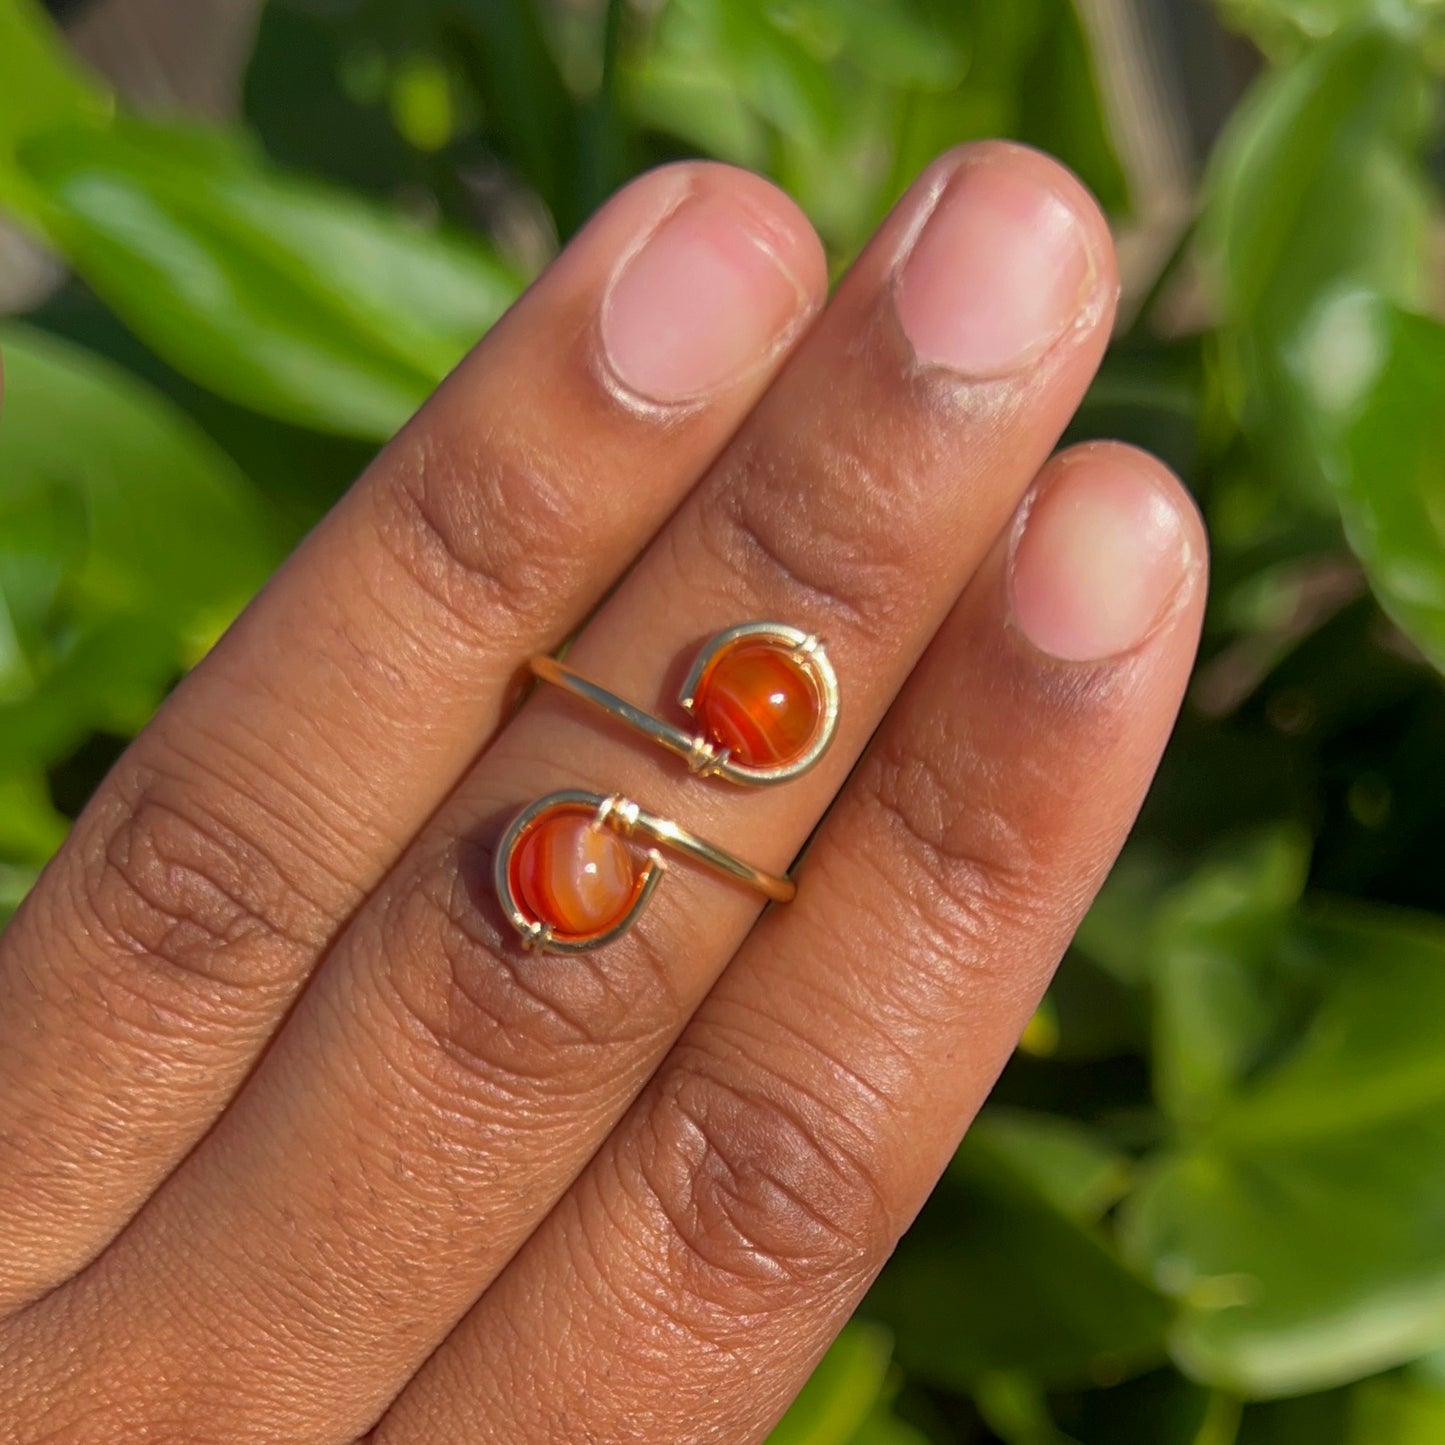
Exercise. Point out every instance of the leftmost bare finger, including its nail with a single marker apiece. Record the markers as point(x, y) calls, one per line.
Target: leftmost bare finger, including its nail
point(144, 976)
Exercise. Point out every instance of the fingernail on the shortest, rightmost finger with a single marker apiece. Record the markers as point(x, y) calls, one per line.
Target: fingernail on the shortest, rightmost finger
point(1103, 554)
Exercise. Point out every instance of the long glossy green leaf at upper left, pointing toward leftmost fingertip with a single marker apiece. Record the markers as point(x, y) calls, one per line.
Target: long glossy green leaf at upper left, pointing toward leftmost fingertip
point(277, 293)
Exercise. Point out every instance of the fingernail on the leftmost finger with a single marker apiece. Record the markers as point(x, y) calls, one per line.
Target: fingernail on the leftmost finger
point(703, 303)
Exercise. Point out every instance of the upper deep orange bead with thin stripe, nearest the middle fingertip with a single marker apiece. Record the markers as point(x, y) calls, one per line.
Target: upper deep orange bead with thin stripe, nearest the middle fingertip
point(761, 703)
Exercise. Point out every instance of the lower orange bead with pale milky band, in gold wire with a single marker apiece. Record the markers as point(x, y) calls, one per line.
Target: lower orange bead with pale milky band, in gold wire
point(573, 875)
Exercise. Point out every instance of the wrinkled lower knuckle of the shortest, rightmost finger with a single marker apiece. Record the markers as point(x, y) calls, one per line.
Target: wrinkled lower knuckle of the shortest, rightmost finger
point(767, 1193)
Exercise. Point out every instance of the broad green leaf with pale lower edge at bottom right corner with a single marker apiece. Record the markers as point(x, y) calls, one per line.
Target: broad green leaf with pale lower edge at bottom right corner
point(1304, 1226)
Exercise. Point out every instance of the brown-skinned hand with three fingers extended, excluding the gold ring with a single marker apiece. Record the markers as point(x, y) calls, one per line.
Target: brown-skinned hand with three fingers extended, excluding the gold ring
point(298, 1145)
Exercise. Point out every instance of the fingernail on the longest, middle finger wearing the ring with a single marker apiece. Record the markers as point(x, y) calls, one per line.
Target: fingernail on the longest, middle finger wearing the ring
point(1001, 272)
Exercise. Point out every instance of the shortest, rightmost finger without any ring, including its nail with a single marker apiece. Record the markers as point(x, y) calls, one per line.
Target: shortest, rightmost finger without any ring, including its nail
point(699, 1269)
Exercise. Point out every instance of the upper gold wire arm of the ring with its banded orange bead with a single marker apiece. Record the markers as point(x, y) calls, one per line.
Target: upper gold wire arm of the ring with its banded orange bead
point(765, 699)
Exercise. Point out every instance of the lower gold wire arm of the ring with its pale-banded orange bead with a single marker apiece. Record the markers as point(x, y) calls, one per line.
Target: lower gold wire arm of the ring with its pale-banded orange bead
point(570, 878)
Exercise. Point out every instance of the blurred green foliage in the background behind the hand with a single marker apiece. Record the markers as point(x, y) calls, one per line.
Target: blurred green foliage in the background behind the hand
point(1207, 1206)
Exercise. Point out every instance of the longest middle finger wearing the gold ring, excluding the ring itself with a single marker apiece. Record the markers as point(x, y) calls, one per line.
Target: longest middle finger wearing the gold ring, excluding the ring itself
point(436, 1093)
